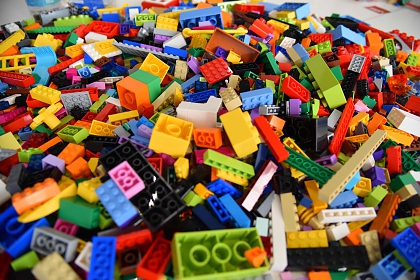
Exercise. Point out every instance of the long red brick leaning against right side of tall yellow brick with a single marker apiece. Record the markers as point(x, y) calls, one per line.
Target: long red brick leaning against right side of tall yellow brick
point(271, 139)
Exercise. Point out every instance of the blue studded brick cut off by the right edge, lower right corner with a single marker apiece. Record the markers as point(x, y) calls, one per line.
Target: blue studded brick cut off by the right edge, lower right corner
point(407, 243)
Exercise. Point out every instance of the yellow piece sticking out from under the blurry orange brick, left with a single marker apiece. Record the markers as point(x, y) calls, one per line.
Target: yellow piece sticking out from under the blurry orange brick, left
point(68, 189)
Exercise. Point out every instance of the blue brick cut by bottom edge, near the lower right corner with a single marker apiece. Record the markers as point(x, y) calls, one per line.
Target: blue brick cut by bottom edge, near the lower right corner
point(389, 268)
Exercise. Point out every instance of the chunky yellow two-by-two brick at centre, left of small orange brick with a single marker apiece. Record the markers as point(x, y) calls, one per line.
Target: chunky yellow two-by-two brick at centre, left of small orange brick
point(173, 131)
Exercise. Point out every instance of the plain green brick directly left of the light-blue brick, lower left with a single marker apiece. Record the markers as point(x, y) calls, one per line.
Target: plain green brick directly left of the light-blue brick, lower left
point(79, 212)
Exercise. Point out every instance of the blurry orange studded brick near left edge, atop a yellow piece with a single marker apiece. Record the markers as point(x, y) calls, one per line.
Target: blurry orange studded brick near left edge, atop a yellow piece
point(32, 197)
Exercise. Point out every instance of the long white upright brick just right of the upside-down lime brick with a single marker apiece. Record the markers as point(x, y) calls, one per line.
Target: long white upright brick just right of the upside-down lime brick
point(278, 237)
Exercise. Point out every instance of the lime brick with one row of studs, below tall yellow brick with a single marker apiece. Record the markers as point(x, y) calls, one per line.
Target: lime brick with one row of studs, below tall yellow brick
point(229, 164)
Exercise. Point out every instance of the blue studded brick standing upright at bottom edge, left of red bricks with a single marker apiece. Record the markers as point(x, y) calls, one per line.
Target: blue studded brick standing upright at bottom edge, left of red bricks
point(102, 259)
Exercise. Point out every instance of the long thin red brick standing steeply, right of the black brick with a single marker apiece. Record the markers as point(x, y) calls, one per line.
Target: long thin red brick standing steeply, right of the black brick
point(342, 126)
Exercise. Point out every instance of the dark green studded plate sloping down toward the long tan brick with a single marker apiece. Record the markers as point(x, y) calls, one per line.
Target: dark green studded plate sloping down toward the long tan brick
point(314, 170)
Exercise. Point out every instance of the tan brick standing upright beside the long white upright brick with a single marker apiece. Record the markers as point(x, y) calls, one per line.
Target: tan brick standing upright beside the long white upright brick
point(290, 212)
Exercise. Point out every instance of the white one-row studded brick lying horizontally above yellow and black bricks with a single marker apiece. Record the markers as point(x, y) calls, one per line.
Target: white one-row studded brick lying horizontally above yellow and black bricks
point(328, 216)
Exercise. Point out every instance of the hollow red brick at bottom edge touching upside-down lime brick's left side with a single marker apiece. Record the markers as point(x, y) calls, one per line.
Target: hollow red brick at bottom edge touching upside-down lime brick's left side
point(154, 263)
